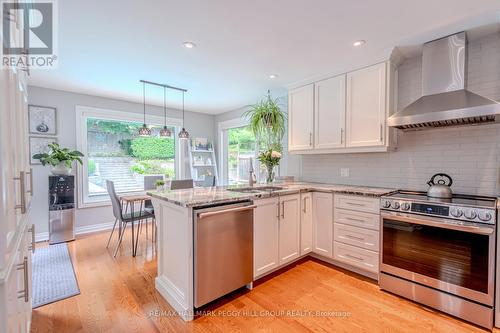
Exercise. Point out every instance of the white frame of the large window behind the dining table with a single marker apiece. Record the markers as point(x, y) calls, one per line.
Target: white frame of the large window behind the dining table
point(85, 112)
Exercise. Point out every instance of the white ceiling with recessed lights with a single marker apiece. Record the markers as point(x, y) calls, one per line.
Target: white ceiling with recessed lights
point(105, 47)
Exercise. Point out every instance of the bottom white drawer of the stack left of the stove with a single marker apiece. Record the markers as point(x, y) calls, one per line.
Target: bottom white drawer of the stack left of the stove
point(357, 257)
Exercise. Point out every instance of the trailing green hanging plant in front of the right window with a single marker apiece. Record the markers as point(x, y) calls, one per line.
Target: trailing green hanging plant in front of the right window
point(267, 121)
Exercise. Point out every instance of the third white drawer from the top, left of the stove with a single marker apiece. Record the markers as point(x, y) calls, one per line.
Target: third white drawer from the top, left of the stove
point(365, 238)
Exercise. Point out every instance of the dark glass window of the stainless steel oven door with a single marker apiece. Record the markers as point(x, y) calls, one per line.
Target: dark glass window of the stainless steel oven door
point(456, 257)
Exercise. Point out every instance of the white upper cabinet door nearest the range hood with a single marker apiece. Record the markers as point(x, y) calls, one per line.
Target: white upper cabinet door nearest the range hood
point(366, 107)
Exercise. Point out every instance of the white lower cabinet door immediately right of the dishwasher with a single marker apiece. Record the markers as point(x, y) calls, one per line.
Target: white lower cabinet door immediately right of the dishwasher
point(265, 236)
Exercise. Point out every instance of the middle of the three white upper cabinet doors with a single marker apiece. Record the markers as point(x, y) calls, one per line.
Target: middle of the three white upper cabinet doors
point(329, 113)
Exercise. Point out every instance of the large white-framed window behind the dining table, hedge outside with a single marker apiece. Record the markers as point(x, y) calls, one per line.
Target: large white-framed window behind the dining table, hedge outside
point(114, 151)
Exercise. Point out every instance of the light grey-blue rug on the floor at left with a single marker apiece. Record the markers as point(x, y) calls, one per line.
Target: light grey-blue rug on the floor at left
point(54, 278)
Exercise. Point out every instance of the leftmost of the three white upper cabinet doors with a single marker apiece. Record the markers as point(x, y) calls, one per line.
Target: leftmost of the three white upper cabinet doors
point(300, 118)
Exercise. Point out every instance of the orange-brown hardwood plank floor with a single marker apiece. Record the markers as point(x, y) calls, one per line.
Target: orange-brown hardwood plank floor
point(118, 295)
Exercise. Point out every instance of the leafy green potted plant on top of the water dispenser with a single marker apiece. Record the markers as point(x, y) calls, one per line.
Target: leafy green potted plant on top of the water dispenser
point(61, 159)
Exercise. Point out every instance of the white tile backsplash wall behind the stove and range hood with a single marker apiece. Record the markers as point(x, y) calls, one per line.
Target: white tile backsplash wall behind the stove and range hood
point(470, 155)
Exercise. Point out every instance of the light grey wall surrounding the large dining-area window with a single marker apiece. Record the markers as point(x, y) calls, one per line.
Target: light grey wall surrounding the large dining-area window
point(199, 125)
